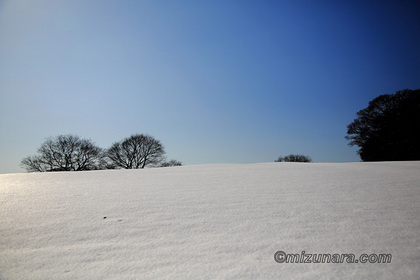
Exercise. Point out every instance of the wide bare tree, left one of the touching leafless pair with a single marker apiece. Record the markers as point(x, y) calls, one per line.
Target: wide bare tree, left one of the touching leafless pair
point(65, 153)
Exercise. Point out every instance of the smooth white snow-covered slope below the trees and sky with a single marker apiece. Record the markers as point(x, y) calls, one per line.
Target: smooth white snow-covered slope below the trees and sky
point(221, 221)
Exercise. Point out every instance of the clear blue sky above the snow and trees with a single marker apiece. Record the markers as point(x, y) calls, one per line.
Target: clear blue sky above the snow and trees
point(215, 81)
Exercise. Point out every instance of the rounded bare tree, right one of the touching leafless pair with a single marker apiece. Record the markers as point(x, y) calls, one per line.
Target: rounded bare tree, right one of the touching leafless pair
point(136, 151)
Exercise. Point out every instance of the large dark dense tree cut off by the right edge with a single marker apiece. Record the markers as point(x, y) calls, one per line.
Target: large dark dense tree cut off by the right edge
point(388, 129)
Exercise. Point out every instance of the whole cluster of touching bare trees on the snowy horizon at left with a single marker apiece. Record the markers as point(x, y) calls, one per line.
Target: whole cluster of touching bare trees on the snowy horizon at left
point(72, 153)
